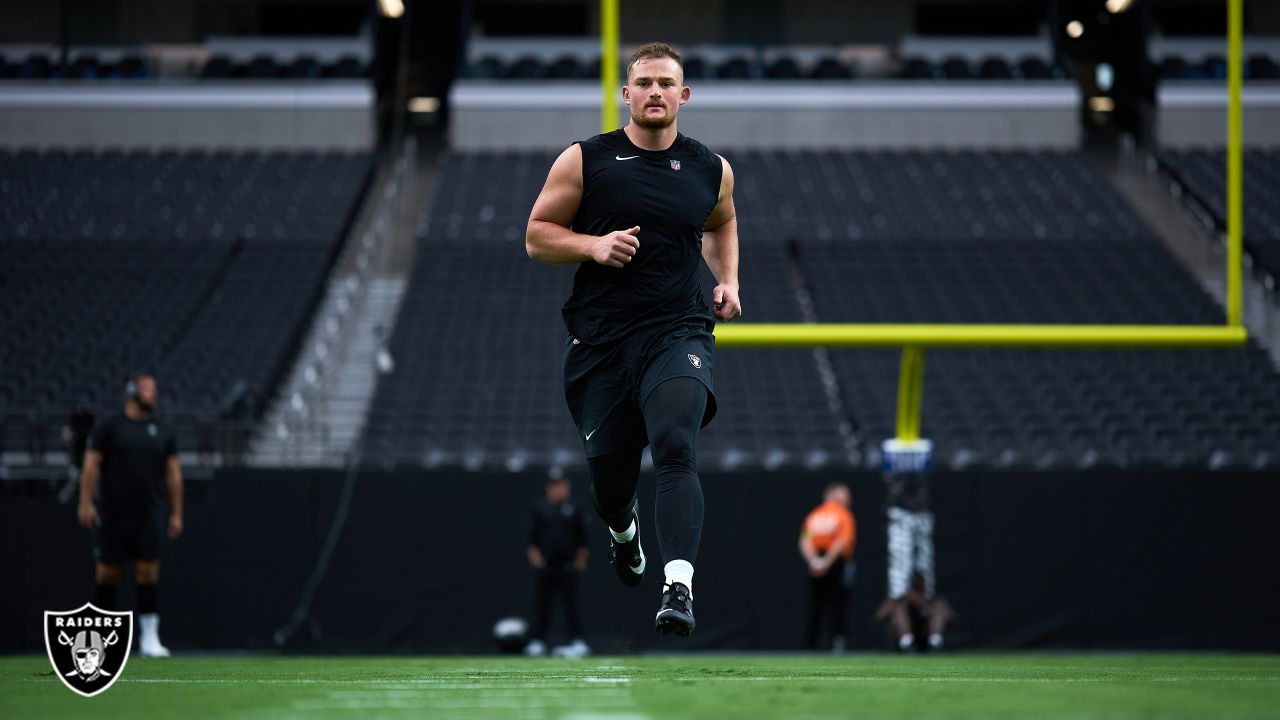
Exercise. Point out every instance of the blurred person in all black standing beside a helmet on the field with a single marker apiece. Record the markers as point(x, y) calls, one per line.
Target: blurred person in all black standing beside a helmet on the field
point(557, 550)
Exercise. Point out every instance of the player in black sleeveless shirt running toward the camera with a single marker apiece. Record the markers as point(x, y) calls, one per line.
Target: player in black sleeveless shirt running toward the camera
point(639, 211)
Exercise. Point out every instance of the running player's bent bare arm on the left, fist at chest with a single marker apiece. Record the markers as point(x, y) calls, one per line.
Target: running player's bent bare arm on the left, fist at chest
point(550, 239)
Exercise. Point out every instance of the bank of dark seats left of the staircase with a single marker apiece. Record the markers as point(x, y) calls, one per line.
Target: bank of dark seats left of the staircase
point(211, 262)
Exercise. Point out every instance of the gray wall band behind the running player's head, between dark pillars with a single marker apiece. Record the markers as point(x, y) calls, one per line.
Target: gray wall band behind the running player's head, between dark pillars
point(783, 115)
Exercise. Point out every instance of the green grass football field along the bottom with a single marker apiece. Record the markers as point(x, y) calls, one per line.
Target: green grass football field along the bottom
point(664, 689)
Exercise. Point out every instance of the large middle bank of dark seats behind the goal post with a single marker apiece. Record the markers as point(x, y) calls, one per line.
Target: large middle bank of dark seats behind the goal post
point(871, 238)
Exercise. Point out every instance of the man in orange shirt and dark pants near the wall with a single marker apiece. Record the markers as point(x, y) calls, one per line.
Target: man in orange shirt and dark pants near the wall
point(828, 545)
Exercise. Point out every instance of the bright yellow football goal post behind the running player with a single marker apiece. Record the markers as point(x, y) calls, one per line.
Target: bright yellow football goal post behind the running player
point(916, 339)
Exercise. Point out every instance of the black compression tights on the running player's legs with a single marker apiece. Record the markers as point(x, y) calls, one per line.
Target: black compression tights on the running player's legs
point(673, 416)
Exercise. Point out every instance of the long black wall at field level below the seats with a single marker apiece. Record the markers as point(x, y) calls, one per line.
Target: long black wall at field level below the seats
point(1098, 559)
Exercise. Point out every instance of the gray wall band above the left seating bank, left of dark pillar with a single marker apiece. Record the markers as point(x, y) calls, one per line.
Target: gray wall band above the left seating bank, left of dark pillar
point(322, 116)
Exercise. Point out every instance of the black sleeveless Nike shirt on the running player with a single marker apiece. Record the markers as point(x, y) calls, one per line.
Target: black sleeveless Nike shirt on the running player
point(670, 194)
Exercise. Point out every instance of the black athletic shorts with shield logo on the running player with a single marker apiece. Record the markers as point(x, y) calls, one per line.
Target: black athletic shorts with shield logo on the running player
point(606, 386)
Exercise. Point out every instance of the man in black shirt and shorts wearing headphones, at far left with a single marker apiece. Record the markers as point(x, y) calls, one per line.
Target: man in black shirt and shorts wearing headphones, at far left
point(135, 457)
